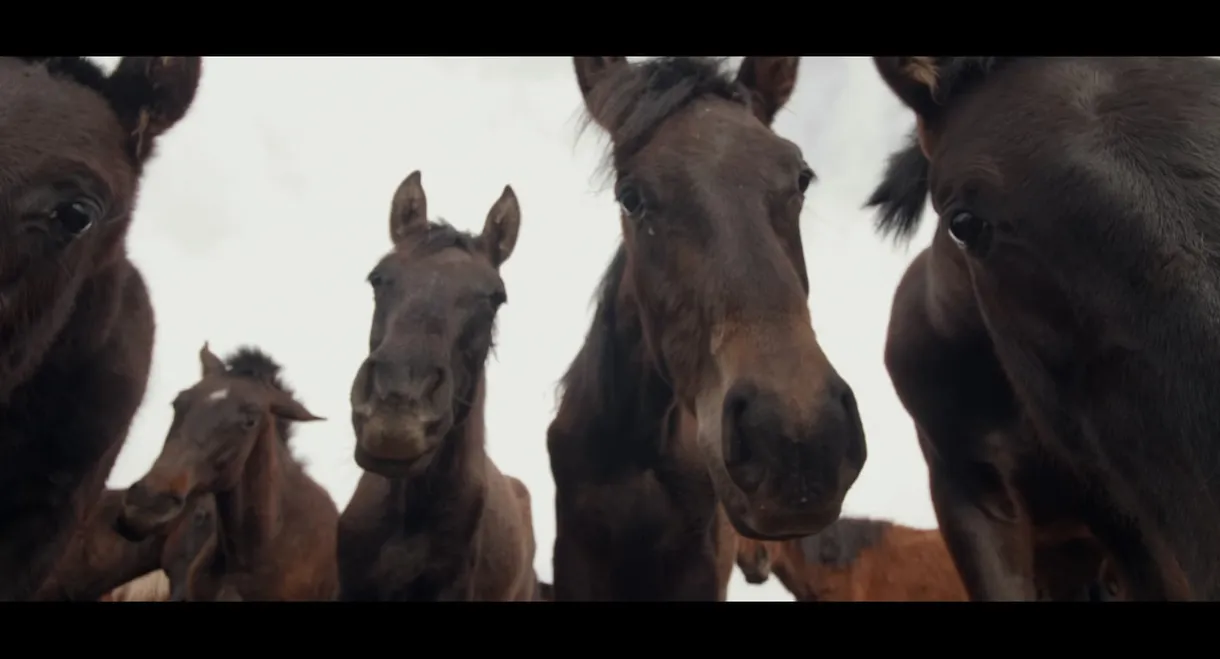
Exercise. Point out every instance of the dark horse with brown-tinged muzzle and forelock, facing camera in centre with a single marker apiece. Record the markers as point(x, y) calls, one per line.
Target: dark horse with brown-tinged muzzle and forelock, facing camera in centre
point(701, 379)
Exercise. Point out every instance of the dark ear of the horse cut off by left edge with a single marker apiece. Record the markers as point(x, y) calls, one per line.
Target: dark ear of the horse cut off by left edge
point(151, 95)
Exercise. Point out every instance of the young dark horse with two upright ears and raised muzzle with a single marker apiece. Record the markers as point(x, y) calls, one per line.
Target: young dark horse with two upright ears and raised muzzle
point(432, 518)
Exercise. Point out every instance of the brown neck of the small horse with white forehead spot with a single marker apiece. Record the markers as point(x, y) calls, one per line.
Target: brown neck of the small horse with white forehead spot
point(251, 516)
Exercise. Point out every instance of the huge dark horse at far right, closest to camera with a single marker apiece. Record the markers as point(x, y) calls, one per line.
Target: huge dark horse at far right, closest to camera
point(1055, 345)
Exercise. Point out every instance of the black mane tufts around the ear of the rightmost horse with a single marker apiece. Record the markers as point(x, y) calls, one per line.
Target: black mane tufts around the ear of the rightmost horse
point(902, 195)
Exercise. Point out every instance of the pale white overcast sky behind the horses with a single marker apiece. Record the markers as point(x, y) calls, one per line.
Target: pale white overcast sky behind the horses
point(268, 206)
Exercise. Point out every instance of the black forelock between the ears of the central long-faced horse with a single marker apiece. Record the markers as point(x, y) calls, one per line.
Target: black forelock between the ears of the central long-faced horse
point(636, 99)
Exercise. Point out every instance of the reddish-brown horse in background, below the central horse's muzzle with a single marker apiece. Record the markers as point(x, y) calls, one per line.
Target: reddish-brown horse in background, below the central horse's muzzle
point(858, 560)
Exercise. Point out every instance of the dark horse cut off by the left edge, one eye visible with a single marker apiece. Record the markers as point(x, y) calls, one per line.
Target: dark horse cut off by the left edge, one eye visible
point(76, 325)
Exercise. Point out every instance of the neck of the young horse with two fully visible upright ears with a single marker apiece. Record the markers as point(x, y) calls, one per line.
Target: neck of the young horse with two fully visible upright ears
point(456, 475)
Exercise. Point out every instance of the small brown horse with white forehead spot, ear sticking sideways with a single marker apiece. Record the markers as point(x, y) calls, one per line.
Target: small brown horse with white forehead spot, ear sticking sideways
point(273, 528)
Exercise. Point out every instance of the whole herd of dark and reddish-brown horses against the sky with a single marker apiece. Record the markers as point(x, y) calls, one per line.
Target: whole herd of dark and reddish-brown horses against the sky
point(1053, 346)
